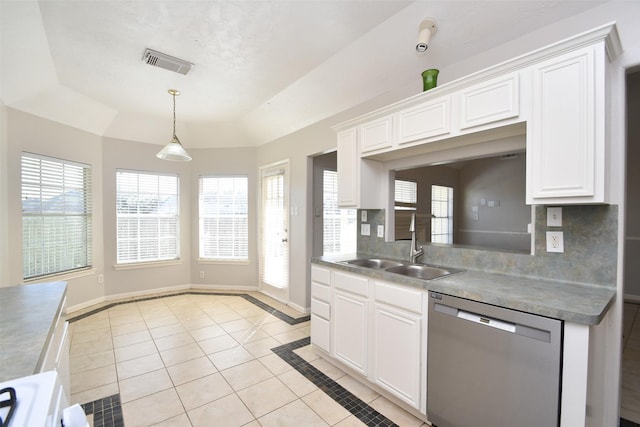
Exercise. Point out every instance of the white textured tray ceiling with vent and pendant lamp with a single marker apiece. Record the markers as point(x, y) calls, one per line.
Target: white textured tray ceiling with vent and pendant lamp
point(263, 69)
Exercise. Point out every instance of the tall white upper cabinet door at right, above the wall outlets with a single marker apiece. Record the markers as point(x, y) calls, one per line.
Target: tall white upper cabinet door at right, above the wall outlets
point(565, 147)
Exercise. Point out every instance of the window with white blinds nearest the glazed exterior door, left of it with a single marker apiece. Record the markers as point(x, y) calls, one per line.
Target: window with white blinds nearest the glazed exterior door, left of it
point(224, 218)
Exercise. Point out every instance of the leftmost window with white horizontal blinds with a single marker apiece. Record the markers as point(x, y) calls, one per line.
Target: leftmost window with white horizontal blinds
point(56, 216)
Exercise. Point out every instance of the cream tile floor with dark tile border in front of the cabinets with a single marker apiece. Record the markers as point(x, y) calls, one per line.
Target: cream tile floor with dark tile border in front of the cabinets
point(209, 359)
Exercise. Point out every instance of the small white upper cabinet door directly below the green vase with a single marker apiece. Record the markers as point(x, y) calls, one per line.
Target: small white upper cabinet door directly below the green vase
point(424, 121)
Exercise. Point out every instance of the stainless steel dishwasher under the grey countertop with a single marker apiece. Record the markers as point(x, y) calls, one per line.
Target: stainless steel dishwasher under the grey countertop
point(491, 366)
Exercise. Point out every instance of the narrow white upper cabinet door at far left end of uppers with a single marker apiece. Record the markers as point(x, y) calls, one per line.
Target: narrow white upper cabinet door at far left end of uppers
point(348, 170)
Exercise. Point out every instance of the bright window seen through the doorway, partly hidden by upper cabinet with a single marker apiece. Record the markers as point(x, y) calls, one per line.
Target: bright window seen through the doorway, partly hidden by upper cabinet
point(339, 229)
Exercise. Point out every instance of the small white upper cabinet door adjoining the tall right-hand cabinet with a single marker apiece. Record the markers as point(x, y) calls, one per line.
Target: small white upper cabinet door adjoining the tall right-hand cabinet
point(488, 102)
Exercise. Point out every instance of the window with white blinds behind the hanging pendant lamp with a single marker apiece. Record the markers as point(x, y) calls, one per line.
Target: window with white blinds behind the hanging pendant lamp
point(147, 216)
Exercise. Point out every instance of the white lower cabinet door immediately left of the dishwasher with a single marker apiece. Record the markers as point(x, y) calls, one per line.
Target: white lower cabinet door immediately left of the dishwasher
point(397, 352)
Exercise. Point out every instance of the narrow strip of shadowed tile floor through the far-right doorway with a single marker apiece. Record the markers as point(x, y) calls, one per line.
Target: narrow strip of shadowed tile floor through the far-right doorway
point(630, 399)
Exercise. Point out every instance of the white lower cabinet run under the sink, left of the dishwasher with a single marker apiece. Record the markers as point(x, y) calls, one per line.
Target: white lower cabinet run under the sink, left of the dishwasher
point(375, 328)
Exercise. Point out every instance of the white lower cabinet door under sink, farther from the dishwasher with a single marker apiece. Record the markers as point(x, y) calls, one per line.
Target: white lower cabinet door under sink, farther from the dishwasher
point(349, 317)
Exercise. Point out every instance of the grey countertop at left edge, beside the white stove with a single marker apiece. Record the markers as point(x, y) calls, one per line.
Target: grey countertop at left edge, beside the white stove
point(28, 315)
